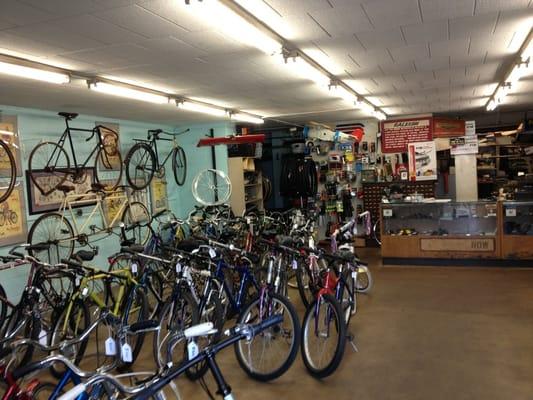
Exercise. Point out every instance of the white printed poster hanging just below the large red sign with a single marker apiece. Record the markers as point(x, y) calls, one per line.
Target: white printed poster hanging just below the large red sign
point(422, 161)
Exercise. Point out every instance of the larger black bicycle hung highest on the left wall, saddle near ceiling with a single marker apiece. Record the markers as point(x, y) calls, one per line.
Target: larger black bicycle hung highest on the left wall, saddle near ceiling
point(50, 164)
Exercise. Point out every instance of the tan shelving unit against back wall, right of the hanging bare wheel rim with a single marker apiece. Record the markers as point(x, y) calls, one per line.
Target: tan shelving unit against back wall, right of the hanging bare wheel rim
point(247, 186)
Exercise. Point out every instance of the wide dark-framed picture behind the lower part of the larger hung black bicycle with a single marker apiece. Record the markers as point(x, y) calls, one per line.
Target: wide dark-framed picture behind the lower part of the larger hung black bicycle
point(39, 203)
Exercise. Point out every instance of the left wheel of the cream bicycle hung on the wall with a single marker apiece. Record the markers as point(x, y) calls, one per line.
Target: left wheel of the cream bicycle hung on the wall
point(56, 231)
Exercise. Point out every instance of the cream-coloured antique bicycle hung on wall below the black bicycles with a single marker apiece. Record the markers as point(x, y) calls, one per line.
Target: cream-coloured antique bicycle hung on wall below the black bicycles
point(57, 231)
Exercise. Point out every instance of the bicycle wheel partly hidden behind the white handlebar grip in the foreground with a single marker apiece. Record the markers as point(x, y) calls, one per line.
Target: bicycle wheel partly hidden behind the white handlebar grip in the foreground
point(211, 312)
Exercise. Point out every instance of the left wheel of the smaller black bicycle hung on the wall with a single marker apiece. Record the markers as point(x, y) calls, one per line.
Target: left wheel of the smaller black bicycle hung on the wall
point(140, 166)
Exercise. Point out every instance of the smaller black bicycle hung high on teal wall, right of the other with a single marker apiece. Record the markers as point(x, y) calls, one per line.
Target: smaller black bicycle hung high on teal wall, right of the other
point(142, 161)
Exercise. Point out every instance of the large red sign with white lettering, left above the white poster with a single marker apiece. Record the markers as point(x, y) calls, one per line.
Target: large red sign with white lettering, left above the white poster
point(396, 134)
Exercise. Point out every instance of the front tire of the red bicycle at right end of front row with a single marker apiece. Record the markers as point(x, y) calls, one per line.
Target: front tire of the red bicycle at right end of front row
point(308, 331)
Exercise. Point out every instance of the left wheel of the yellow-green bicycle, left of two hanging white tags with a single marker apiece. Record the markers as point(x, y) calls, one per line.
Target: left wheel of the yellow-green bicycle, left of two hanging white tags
point(70, 324)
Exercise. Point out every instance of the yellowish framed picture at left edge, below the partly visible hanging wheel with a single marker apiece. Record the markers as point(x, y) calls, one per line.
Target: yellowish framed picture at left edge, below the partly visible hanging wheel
point(13, 227)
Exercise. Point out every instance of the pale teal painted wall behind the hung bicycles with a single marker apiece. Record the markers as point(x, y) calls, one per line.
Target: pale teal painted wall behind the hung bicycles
point(36, 125)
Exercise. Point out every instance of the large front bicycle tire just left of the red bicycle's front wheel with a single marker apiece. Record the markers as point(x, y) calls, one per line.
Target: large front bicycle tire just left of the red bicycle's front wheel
point(264, 303)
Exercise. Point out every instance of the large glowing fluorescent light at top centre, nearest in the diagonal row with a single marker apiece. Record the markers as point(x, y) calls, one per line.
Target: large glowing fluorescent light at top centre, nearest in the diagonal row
point(234, 25)
